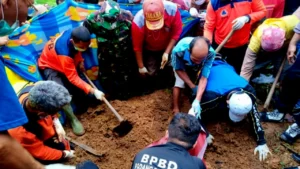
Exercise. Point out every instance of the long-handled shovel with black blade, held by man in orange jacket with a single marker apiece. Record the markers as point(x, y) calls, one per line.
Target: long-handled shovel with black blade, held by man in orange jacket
point(125, 126)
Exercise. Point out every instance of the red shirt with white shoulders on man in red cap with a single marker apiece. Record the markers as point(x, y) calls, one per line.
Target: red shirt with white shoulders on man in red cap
point(157, 40)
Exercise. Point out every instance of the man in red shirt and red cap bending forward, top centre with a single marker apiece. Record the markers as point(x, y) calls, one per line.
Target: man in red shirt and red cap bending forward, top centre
point(155, 30)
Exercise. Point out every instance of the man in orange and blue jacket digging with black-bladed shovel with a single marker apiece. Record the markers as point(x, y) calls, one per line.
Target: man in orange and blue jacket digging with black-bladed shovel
point(61, 61)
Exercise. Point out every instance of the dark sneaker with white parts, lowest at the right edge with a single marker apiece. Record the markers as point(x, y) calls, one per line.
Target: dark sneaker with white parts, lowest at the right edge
point(291, 134)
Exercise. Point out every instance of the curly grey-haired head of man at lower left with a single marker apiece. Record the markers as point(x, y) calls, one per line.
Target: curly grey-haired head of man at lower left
point(48, 97)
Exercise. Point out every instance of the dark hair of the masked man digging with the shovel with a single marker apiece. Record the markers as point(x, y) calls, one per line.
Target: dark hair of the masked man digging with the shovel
point(81, 33)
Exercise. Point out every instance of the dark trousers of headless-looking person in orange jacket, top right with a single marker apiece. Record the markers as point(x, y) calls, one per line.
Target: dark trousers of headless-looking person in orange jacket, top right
point(233, 56)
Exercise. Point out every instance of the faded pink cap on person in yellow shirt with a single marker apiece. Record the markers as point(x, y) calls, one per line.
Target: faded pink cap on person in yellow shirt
point(272, 39)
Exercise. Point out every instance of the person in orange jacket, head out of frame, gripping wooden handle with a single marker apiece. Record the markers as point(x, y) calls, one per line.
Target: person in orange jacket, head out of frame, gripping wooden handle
point(224, 15)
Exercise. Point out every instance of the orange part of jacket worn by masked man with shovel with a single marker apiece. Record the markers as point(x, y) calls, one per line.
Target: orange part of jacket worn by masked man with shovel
point(64, 64)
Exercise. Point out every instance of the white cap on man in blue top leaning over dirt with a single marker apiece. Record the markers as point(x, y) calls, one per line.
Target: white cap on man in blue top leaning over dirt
point(240, 104)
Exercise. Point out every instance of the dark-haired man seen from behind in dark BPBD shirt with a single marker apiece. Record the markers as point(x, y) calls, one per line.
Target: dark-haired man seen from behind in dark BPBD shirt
point(183, 132)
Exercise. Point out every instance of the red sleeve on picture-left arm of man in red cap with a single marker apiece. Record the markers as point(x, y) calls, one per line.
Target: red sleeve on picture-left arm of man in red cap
point(137, 37)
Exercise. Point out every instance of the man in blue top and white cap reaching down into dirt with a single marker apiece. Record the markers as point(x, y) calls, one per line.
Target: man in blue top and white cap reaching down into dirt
point(226, 90)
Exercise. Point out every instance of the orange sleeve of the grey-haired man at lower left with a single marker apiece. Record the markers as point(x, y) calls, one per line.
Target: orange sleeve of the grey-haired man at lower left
point(35, 146)
